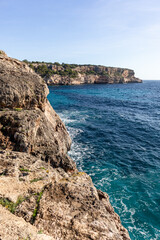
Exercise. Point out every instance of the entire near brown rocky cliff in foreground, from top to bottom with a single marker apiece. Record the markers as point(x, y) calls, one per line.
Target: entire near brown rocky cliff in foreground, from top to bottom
point(42, 194)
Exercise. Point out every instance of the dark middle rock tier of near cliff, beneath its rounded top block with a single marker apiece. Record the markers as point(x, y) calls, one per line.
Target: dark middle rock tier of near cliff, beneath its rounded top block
point(37, 132)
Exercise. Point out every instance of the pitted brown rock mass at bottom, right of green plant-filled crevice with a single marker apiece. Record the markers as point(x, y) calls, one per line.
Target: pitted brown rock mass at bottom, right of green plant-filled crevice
point(76, 210)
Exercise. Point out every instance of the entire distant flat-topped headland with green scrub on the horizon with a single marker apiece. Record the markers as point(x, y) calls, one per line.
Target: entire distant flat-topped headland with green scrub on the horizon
point(68, 74)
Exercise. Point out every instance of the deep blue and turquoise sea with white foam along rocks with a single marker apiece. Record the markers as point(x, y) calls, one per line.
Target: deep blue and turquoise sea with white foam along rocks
point(116, 139)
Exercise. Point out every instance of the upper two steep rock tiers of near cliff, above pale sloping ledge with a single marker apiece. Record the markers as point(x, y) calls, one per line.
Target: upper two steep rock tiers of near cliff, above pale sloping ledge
point(30, 122)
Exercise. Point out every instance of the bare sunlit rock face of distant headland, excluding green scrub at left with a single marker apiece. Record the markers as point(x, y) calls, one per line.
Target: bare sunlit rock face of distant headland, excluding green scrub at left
point(91, 74)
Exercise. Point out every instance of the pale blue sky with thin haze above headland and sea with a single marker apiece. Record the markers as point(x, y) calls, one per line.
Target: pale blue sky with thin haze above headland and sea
point(117, 33)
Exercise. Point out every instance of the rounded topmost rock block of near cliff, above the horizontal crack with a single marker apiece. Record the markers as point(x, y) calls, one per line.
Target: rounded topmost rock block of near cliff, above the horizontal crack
point(15, 93)
